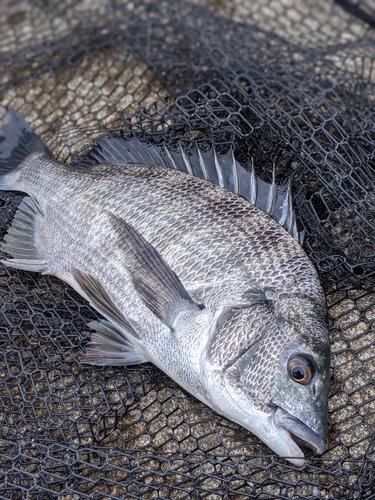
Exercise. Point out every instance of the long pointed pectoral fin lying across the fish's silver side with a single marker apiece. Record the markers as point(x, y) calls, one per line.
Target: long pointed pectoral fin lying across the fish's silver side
point(156, 283)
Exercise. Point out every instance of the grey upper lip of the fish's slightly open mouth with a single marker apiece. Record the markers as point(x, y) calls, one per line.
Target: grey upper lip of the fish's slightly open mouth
point(299, 430)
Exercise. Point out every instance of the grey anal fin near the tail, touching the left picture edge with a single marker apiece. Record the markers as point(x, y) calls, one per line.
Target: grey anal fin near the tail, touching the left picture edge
point(19, 241)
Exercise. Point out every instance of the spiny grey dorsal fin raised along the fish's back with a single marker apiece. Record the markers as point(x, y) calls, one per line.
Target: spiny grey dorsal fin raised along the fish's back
point(222, 170)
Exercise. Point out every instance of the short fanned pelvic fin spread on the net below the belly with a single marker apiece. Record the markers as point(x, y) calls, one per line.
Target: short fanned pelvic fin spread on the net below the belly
point(109, 346)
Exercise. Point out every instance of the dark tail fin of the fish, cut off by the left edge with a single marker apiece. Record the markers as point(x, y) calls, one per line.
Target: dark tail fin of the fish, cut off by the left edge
point(17, 142)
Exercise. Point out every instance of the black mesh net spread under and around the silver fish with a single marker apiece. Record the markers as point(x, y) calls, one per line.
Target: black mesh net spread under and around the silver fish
point(281, 82)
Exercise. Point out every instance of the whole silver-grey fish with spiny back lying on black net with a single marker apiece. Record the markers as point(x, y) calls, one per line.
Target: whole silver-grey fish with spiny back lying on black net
point(195, 264)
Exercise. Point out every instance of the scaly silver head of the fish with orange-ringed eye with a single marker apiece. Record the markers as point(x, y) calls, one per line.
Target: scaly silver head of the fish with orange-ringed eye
point(273, 379)
